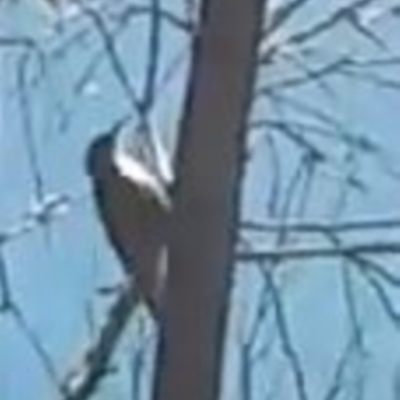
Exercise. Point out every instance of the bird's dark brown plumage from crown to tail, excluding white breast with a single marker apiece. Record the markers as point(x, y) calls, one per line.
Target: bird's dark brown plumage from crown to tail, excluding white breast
point(134, 221)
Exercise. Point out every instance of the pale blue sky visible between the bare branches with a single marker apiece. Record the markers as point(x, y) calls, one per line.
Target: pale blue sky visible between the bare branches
point(54, 273)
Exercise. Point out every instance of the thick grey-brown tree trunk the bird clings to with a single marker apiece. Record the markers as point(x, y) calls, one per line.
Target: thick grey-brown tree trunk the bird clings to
point(206, 201)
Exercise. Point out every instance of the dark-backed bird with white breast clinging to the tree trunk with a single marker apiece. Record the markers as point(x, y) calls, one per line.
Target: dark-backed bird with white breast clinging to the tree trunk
point(132, 188)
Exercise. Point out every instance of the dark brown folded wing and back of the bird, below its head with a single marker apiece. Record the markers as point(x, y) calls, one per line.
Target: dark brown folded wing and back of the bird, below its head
point(136, 228)
